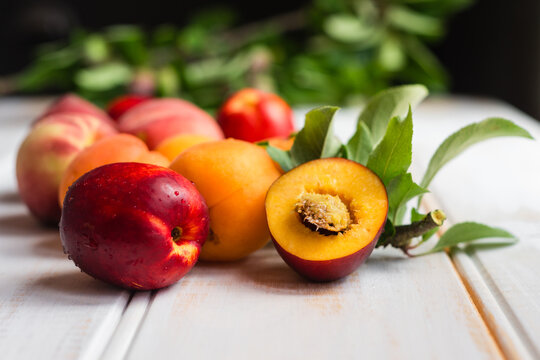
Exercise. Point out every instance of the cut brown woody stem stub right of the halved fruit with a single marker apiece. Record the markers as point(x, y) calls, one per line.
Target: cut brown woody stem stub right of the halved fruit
point(405, 233)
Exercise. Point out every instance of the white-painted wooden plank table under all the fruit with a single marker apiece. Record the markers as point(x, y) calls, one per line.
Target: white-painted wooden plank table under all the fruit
point(483, 305)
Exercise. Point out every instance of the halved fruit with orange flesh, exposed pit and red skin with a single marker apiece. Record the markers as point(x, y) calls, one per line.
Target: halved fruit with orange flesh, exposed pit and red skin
point(325, 217)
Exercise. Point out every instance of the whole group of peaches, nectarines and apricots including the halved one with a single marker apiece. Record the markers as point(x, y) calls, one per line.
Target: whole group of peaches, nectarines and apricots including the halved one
point(145, 190)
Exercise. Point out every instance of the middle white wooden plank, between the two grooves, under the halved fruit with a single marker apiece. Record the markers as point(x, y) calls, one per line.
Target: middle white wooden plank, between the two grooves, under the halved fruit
point(392, 307)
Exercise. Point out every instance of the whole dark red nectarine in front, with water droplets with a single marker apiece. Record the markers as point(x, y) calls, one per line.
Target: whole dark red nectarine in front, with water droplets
point(134, 225)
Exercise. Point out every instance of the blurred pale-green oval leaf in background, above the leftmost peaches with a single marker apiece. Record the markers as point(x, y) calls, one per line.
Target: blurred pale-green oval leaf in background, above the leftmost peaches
point(103, 77)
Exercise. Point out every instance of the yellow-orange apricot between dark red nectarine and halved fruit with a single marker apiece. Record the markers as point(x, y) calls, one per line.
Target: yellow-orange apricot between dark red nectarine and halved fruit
point(233, 176)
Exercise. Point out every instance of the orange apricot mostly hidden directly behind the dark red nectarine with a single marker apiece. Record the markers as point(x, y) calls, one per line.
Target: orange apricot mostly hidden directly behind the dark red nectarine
point(113, 149)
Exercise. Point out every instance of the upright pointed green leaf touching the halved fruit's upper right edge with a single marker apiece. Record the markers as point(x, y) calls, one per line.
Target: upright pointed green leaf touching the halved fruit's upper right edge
point(392, 156)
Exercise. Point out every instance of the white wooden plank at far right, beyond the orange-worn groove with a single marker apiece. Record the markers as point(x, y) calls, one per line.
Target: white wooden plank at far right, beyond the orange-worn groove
point(495, 183)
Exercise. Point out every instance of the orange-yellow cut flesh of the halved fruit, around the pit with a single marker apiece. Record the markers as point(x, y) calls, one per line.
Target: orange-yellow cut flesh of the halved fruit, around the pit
point(356, 186)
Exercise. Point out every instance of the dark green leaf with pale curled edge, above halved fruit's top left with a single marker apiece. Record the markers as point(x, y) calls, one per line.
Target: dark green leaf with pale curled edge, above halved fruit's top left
point(316, 140)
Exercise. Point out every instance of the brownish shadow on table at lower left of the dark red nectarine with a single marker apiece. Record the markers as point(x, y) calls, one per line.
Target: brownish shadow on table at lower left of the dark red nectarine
point(75, 288)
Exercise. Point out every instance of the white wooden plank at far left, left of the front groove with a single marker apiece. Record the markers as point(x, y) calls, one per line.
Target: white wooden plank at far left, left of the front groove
point(48, 308)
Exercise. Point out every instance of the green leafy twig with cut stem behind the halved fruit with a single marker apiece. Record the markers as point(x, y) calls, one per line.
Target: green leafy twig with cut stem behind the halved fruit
point(383, 143)
